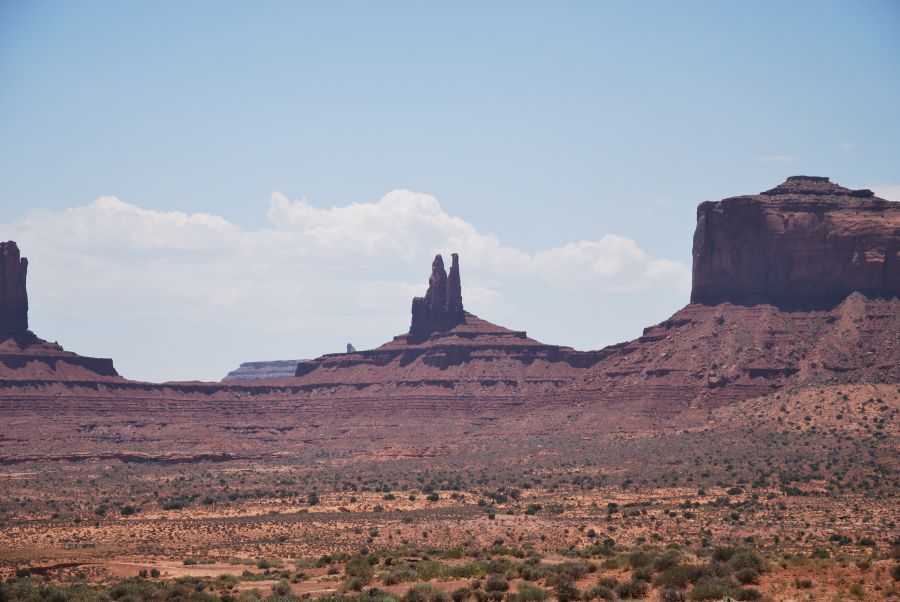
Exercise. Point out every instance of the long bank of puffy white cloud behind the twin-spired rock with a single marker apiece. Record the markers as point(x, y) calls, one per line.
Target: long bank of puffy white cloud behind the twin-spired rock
point(310, 273)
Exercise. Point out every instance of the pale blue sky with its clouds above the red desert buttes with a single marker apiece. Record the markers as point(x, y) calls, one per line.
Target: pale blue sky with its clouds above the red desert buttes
point(544, 124)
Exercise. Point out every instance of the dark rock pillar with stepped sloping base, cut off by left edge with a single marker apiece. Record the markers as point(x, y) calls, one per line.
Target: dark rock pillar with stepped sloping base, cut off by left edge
point(23, 355)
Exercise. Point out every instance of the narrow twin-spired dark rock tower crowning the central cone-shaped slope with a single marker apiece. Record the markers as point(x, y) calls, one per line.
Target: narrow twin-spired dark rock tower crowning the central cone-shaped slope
point(441, 308)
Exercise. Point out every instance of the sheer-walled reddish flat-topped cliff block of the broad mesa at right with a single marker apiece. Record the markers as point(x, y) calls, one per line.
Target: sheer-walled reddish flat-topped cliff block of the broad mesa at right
point(805, 244)
